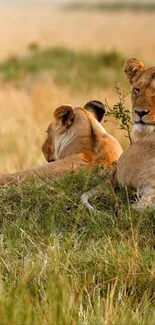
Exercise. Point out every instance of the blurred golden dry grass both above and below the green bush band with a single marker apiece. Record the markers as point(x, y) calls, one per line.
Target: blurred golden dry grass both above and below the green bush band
point(26, 109)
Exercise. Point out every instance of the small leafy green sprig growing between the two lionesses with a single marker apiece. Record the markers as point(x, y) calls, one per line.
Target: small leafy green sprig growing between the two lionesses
point(120, 113)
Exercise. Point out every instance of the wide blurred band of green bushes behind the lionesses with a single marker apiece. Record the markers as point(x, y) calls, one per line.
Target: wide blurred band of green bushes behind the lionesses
point(78, 70)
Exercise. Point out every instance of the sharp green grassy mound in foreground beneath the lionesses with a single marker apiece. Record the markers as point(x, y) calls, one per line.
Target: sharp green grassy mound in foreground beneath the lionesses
point(61, 265)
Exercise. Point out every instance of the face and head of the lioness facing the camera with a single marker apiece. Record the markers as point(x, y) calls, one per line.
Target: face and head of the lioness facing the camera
point(142, 97)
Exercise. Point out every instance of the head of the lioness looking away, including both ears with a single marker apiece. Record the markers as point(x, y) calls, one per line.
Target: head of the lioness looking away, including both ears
point(71, 130)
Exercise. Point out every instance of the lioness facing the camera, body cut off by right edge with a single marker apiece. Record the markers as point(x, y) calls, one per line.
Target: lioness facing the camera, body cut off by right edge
point(136, 166)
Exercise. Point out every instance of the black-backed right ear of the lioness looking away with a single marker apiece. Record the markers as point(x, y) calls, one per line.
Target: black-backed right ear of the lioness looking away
point(97, 108)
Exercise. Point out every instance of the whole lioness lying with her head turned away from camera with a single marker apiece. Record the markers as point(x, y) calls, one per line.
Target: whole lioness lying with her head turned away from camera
point(74, 139)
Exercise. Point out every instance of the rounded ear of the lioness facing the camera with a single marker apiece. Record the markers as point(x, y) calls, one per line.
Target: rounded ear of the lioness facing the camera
point(133, 69)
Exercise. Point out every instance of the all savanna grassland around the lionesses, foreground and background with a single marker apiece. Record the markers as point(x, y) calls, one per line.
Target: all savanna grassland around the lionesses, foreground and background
point(58, 263)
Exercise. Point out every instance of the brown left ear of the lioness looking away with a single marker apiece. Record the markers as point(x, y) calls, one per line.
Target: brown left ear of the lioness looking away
point(65, 115)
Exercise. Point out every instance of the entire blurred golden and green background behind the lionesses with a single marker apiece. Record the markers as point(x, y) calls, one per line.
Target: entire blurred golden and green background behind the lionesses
point(54, 52)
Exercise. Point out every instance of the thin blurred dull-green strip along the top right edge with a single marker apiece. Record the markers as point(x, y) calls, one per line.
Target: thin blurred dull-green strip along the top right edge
point(114, 6)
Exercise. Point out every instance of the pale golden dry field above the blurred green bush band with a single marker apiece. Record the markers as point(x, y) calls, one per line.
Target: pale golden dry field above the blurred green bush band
point(128, 32)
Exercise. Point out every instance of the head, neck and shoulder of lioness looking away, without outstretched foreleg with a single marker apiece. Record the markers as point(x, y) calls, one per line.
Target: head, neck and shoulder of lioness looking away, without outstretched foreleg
point(78, 130)
